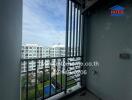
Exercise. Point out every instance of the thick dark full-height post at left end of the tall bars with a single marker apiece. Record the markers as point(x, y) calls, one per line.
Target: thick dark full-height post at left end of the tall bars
point(66, 52)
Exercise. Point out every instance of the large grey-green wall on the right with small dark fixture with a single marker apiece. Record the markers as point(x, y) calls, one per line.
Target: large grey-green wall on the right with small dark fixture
point(105, 37)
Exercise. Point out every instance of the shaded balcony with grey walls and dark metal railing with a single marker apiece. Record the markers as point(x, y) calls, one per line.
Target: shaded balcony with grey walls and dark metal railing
point(92, 34)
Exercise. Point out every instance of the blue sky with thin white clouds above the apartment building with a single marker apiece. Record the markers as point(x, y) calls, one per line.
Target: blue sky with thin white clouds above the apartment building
point(44, 21)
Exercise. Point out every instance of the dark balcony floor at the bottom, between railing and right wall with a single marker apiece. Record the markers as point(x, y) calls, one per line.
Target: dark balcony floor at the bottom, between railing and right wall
point(83, 96)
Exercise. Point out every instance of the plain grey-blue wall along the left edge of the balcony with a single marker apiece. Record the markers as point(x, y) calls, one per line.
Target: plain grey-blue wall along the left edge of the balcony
point(10, 45)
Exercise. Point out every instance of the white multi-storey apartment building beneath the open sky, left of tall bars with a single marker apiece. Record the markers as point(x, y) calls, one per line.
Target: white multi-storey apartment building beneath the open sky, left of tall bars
point(30, 51)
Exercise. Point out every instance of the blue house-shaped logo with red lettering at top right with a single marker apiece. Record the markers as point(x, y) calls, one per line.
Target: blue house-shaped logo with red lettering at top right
point(117, 11)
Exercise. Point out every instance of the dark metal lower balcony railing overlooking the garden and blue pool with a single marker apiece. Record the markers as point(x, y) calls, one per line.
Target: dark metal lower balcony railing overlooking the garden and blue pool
point(49, 78)
